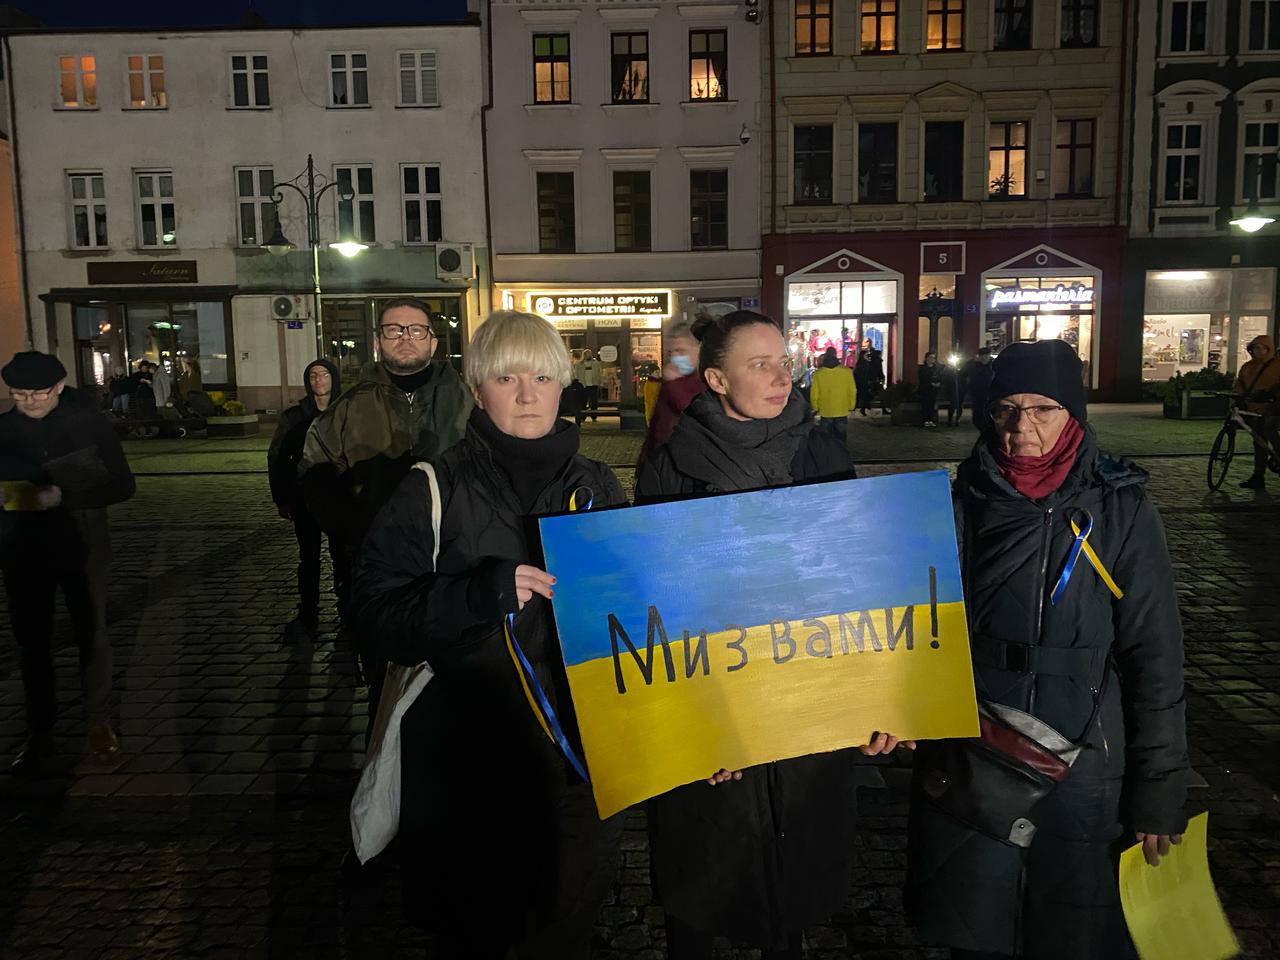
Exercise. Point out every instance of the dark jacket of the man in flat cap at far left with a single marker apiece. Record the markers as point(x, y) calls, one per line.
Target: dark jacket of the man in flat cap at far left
point(74, 449)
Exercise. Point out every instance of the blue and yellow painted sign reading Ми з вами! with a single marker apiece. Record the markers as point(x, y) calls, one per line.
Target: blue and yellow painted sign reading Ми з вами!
point(735, 630)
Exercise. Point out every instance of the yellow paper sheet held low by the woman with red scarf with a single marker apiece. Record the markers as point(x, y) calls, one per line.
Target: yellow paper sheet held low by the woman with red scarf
point(1173, 911)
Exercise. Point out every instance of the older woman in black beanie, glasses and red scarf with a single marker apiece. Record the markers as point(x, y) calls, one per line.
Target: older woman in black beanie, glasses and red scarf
point(1094, 650)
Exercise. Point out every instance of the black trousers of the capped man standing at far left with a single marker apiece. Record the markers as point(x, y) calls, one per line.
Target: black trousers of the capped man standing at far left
point(80, 570)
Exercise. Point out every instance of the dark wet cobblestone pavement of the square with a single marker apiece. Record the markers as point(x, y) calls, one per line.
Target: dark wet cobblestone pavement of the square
point(220, 830)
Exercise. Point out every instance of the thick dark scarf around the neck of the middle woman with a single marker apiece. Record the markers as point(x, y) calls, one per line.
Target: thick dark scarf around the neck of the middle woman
point(739, 455)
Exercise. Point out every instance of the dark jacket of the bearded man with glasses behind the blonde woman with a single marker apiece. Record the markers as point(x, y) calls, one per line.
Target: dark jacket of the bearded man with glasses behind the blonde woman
point(367, 441)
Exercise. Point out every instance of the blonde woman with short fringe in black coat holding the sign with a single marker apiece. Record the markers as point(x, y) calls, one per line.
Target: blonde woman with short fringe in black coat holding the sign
point(502, 851)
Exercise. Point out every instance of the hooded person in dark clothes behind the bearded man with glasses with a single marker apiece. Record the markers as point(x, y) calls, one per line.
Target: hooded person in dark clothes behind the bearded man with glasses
point(323, 385)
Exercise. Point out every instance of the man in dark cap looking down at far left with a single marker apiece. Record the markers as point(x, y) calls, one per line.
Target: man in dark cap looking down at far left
point(63, 469)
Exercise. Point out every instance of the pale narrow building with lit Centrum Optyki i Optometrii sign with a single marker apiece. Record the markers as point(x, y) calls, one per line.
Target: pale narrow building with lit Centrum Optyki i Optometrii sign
point(624, 171)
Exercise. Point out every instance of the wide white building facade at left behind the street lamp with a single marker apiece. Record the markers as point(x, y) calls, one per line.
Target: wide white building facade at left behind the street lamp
point(149, 170)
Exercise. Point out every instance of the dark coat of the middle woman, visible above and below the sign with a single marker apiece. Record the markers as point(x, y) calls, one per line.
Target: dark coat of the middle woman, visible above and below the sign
point(765, 857)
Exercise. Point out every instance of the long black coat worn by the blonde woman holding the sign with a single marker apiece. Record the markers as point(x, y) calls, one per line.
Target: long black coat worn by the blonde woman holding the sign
point(481, 781)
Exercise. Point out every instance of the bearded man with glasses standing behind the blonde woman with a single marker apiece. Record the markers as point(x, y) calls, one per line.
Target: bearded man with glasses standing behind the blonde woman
point(406, 408)
